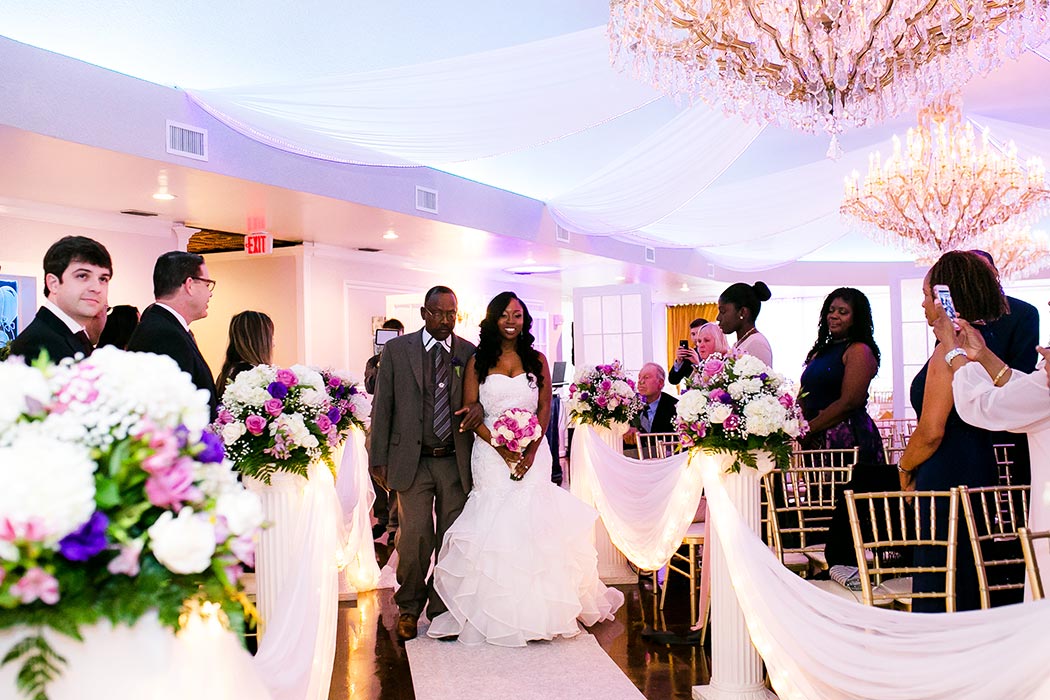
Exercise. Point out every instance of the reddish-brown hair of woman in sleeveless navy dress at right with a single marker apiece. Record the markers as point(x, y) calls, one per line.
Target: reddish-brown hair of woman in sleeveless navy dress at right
point(975, 286)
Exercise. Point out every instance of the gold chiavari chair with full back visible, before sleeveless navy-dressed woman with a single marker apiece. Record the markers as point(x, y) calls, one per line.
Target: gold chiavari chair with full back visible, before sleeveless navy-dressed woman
point(890, 521)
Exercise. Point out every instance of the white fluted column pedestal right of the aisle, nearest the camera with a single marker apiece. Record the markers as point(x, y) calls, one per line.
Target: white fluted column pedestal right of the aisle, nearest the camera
point(737, 668)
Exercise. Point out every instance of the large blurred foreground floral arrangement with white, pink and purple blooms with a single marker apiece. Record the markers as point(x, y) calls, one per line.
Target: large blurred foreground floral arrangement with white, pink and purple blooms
point(116, 502)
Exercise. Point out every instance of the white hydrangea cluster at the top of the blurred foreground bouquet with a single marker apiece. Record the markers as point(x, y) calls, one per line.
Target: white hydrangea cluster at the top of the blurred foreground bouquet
point(107, 397)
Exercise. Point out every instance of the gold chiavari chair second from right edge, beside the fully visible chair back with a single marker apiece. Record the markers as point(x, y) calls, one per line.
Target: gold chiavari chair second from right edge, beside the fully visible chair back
point(994, 515)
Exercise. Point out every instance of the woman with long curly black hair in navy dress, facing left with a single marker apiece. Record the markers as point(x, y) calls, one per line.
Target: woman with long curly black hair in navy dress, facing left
point(838, 372)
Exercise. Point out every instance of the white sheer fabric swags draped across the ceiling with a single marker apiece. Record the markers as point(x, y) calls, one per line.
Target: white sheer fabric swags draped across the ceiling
point(659, 187)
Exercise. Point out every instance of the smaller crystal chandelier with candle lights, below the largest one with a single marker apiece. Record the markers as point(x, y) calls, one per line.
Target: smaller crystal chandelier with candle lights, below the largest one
point(943, 189)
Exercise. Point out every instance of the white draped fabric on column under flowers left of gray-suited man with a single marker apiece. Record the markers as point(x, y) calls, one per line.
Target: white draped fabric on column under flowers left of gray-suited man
point(298, 580)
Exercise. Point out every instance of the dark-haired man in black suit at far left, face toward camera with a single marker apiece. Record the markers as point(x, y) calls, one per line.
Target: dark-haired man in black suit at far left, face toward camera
point(77, 273)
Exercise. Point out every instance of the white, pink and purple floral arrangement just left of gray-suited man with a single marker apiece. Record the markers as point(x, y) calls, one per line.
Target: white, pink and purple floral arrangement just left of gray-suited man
point(275, 419)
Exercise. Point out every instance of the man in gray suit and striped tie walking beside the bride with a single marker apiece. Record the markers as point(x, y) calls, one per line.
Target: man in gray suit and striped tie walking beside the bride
point(422, 443)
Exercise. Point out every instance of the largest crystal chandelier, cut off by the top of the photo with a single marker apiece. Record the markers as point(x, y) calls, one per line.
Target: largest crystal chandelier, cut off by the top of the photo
point(818, 65)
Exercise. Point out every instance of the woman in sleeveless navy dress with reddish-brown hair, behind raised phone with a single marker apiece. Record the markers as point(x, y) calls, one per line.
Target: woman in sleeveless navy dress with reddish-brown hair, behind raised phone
point(944, 452)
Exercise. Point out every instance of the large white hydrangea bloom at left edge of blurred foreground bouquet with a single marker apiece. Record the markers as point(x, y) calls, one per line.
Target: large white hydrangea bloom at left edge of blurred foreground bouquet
point(48, 480)
